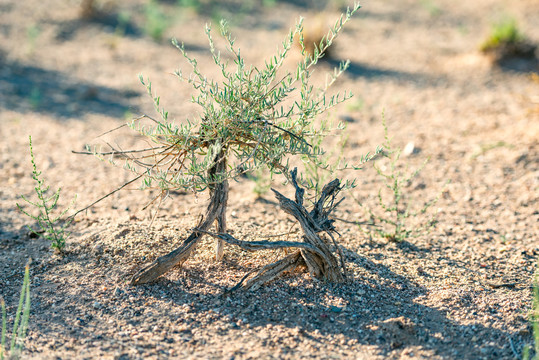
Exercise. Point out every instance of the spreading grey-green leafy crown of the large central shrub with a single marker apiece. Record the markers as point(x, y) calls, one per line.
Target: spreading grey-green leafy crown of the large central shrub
point(252, 118)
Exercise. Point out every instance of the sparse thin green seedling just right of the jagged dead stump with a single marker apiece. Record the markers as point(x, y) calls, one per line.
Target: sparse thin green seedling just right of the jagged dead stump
point(395, 210)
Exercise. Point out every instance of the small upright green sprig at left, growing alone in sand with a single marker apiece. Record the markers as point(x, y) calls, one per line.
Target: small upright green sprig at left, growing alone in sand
point(49, 224)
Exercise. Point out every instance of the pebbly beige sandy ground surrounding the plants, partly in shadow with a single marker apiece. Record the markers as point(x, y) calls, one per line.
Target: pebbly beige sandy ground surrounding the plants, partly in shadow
point(462, 291)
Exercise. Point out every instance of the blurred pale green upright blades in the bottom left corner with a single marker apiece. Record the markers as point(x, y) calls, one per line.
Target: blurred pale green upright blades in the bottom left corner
point(20, 325)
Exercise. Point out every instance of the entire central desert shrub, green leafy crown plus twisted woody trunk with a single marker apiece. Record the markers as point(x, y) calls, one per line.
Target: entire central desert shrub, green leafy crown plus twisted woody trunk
point(253, 118)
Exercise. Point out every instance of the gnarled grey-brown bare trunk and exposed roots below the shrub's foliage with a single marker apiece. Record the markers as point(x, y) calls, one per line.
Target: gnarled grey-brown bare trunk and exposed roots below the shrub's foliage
point(315, 251)
